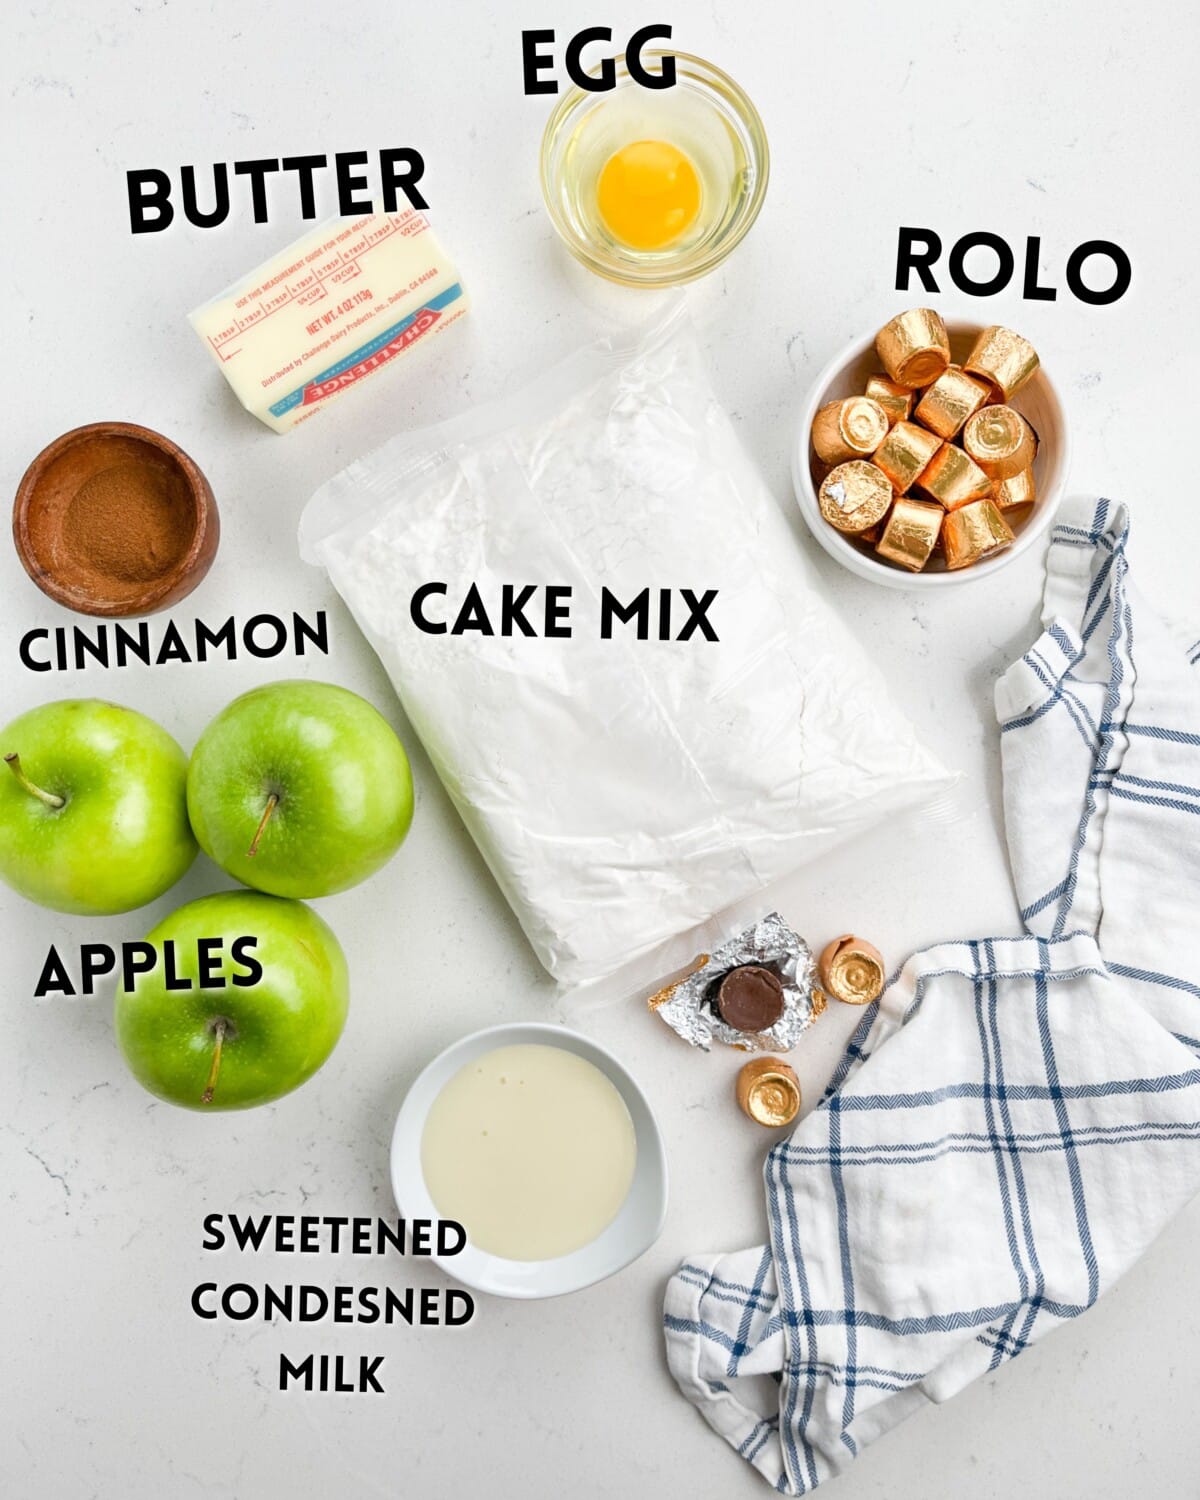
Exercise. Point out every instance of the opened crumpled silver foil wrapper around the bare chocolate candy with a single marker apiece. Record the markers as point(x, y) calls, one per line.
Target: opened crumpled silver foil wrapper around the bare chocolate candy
point(689, 1012)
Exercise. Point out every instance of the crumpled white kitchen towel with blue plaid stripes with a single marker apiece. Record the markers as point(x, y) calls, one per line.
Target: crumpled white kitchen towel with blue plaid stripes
point(1018, 1118)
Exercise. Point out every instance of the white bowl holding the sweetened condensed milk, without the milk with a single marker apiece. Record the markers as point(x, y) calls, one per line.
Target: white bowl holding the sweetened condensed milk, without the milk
point(638, 1223)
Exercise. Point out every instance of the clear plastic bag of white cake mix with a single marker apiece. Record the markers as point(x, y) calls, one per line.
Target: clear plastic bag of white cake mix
point(614, 652)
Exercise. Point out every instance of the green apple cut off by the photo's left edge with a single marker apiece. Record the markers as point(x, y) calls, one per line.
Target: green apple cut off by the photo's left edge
point(94, 812)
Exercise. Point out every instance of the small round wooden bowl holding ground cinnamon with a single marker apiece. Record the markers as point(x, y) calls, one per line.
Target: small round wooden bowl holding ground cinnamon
point(115, 520)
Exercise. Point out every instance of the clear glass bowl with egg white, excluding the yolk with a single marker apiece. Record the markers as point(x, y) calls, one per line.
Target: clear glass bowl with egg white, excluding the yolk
point(707, 116)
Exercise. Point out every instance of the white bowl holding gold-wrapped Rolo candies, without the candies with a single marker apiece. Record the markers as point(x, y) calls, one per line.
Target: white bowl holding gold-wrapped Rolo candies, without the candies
point(847, 376)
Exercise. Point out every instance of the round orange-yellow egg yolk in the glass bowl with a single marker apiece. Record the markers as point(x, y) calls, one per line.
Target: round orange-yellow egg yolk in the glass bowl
point(649, 194)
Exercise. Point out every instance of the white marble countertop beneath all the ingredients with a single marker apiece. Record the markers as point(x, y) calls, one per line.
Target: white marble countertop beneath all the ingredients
point(1072, 124)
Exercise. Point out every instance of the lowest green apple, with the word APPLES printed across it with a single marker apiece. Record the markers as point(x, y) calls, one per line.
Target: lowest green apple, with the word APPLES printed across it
point(265, 1007)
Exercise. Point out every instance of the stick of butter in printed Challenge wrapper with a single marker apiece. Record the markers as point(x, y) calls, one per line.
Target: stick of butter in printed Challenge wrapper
point(329, 311)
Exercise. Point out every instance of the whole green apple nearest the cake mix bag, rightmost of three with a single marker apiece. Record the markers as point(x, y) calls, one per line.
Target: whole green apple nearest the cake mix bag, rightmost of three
point(301, 790)
